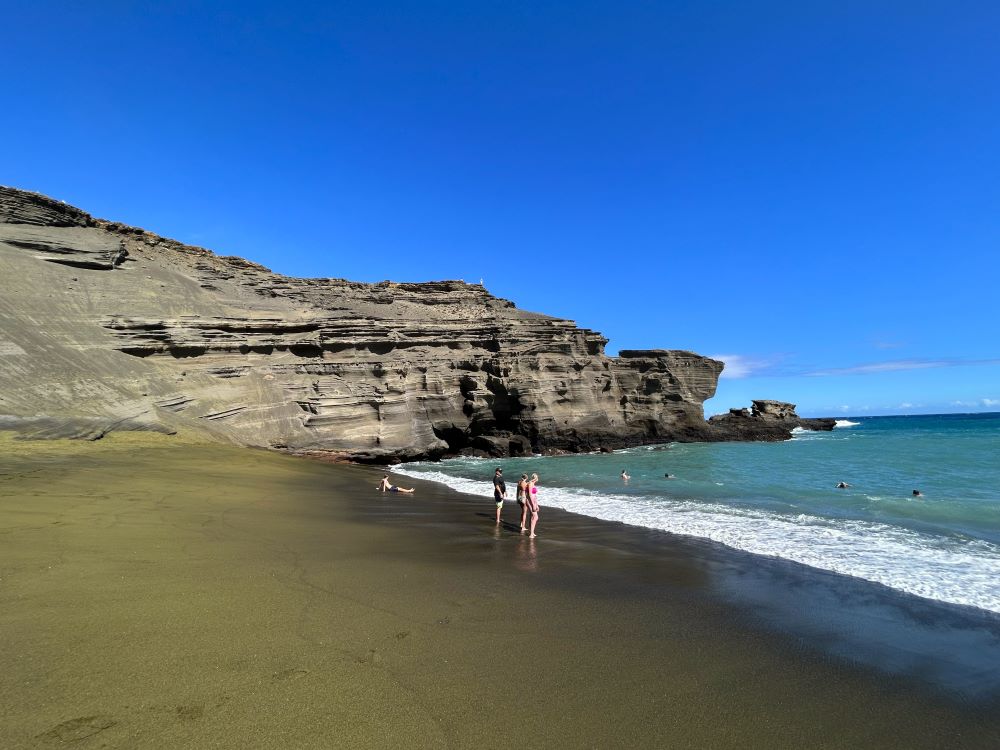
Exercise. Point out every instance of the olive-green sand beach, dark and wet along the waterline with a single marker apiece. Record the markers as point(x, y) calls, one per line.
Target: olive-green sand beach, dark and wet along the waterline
point(157, 592)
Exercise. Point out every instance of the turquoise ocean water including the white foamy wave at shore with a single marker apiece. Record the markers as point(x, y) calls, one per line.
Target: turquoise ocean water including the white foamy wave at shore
point(781, 499)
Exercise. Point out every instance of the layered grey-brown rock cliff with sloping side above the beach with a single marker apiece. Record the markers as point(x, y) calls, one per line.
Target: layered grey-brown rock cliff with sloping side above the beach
point(104, 326)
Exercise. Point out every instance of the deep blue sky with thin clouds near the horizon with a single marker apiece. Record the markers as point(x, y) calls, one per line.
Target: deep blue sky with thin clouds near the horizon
point(807, 190)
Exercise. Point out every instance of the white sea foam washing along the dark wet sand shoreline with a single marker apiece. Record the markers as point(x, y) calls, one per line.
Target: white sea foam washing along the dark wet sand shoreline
point(948, 570)
